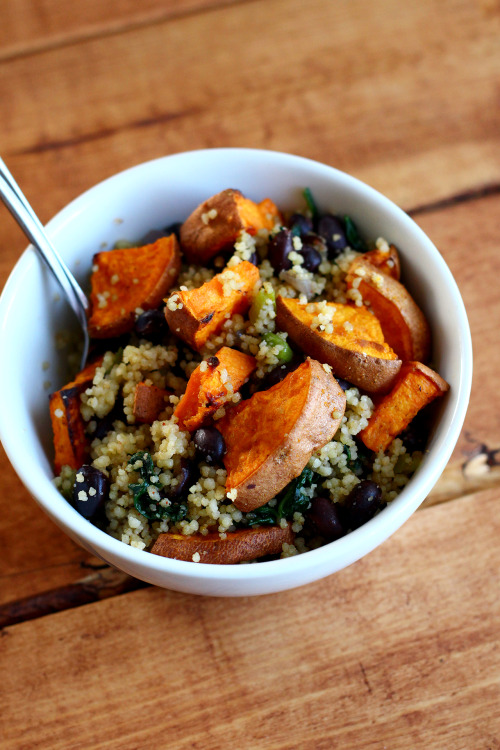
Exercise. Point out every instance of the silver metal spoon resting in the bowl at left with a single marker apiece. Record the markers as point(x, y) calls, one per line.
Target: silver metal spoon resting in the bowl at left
point(15, 200)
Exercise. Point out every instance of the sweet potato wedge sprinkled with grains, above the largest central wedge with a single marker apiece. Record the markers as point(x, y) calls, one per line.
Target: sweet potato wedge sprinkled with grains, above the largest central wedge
point(350, 340)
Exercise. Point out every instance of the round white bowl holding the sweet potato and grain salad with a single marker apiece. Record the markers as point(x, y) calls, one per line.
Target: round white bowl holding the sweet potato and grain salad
point(153, 195)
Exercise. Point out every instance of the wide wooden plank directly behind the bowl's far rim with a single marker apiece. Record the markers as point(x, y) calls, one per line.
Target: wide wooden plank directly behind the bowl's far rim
point(425, 139)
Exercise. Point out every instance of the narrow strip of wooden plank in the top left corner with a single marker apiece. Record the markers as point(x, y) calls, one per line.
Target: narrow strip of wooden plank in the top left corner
point(33, 25)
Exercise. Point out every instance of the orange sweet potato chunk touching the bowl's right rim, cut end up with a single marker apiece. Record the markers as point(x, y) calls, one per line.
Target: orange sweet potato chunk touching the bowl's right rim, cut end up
point(417, 385)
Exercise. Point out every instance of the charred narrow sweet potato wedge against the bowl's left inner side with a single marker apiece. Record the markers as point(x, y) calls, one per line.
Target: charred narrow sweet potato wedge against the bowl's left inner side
point(68, 426)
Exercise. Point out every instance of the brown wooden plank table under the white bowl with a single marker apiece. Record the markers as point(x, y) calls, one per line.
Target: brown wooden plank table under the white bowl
point(401, 650)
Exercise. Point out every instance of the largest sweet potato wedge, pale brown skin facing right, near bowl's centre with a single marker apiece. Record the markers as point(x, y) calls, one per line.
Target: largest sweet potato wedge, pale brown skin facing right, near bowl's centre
point(271, 436)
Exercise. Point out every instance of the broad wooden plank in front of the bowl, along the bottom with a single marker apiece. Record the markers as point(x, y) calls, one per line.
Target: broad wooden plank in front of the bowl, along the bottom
point(399, 650)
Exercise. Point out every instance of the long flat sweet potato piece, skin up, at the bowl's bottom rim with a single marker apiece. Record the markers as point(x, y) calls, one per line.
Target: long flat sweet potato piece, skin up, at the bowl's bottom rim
point(238, 546)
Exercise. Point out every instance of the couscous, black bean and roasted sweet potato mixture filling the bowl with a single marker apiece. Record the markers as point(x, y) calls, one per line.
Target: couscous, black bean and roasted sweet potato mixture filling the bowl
point(258, 386)
